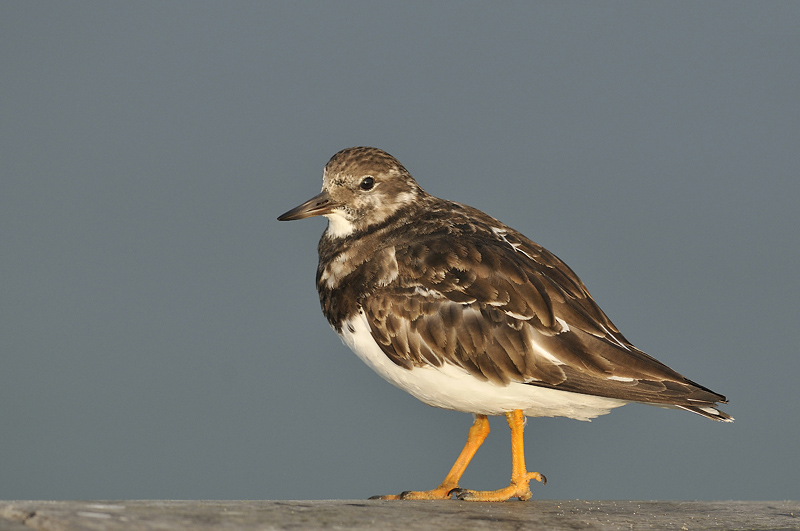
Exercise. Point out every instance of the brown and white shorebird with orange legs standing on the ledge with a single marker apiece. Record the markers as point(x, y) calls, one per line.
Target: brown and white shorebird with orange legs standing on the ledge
point(465, 313)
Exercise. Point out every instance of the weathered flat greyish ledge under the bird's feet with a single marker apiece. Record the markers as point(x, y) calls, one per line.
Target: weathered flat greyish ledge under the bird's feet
point(385, 515)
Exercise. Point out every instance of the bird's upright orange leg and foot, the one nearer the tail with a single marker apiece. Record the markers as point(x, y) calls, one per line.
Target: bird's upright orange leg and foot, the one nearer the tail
point(520, 477)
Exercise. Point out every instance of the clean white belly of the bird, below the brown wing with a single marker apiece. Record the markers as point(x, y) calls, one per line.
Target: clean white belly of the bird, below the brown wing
point(451, 387)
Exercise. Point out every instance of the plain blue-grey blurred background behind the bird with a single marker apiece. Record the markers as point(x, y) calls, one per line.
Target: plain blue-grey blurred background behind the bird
point(160, 331)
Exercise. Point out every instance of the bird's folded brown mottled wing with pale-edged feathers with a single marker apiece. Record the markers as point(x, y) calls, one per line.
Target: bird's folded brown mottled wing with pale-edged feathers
point(505, 309)
